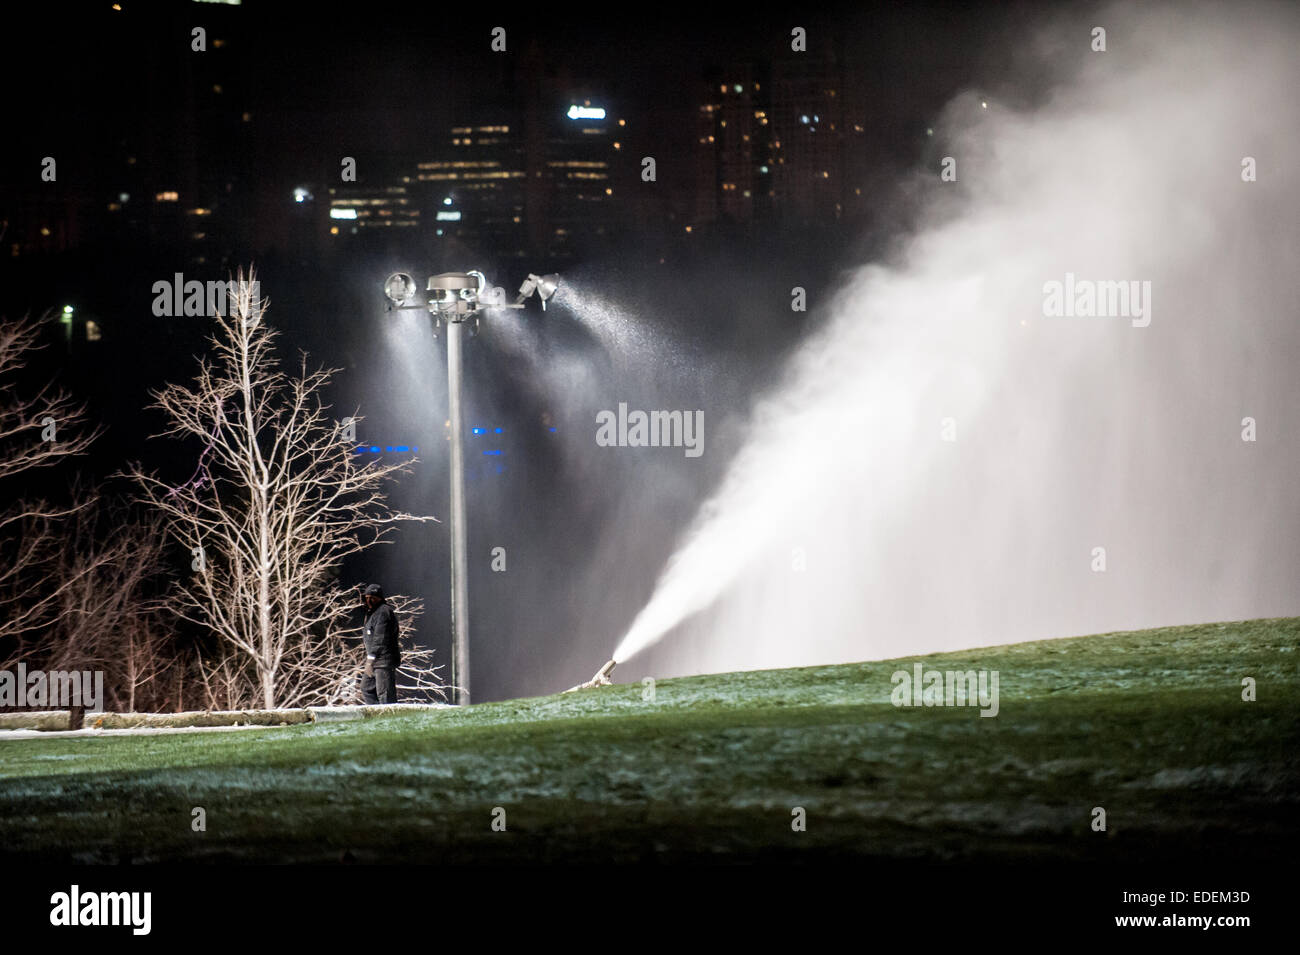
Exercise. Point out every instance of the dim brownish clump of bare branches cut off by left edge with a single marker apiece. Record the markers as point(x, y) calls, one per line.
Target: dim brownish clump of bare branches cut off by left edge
point(73, 578)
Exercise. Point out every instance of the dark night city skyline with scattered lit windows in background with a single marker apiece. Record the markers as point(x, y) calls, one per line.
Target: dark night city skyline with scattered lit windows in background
point(209, 144)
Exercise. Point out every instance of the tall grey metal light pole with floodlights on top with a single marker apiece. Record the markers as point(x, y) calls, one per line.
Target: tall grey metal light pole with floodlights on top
point(458, 298)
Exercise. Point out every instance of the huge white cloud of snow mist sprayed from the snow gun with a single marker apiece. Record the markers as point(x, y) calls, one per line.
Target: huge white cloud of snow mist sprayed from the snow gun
point(950, 462)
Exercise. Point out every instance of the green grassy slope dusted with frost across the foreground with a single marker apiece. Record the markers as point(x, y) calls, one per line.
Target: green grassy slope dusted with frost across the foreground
point(1149, 726)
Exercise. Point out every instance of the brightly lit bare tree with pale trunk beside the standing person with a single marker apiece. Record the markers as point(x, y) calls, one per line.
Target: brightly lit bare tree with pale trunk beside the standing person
point(278, 503)
